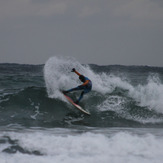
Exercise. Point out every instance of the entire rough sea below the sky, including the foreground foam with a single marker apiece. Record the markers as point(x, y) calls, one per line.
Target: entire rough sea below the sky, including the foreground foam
point(38, 125)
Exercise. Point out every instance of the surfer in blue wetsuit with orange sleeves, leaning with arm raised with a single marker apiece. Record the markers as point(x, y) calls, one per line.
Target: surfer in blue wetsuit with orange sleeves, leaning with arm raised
point(86, 86)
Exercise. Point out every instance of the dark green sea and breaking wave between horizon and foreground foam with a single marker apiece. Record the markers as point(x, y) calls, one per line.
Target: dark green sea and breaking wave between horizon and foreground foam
point(122, 96)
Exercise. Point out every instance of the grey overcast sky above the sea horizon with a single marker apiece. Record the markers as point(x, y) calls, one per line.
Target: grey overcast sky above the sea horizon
point(104, 32)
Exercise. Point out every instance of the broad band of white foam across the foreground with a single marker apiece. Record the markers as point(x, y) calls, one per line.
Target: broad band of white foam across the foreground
point(89, 147)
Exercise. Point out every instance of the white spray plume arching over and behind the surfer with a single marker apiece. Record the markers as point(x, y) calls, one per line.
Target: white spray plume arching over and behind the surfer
point(57, 75)
